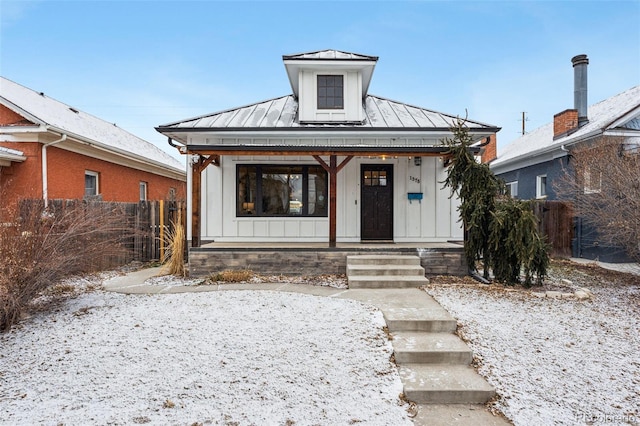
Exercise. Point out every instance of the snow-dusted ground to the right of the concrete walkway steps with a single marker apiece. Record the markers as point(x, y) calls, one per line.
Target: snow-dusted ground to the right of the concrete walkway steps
point(555, 361)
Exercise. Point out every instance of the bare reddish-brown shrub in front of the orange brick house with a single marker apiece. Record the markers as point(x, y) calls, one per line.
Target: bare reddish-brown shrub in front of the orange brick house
point(39, 247)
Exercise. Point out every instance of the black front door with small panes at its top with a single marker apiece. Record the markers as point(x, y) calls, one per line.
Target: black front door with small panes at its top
point(376, 183)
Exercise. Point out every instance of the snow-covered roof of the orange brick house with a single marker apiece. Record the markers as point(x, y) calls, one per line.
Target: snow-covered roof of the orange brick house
point(66, 119)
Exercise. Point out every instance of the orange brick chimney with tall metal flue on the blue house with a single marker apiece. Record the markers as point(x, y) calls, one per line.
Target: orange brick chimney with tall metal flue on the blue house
point(571, 119)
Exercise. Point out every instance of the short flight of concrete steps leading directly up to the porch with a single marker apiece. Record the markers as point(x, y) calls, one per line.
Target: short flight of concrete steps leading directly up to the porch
point(385, 271)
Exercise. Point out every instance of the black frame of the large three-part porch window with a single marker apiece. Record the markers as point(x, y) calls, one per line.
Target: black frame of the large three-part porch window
point(256, 205)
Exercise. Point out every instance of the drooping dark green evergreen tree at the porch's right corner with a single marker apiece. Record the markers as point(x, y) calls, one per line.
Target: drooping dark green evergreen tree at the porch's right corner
point(500, 233)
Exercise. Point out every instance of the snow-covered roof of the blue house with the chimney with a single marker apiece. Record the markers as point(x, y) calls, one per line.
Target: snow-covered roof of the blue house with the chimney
point(603, 116)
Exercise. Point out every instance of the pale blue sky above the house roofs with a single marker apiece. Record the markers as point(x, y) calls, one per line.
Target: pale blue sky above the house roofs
point(144, 63)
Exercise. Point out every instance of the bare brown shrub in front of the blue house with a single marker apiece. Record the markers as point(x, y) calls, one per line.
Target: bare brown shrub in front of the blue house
point(603, 182)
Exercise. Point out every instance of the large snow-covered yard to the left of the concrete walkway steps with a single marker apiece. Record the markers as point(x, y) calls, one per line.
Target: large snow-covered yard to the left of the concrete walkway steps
point(227, 357)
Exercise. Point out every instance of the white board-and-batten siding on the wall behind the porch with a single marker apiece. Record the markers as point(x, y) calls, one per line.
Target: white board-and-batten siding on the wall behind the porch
point(434, 219)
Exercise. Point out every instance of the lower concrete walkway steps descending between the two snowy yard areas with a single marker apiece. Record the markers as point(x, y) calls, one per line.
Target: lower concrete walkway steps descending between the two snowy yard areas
point(433, 362)
